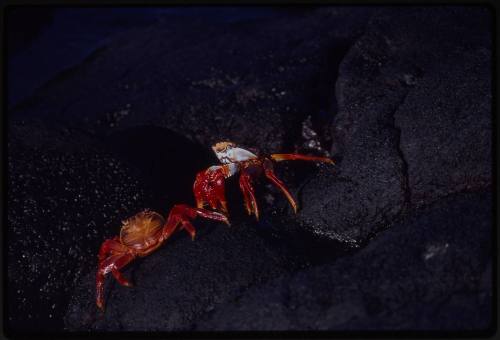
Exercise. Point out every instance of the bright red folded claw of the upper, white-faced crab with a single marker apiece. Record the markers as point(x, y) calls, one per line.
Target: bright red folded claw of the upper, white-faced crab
point(209, 189)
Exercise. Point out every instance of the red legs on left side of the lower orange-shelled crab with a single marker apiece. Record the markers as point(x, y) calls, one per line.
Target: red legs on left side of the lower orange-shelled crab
point(112, 256)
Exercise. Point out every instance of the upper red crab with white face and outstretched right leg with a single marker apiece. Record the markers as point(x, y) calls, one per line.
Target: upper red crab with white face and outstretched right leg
point(209, 184)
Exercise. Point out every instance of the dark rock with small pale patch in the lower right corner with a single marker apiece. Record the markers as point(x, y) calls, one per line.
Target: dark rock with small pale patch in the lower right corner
point(433, 271)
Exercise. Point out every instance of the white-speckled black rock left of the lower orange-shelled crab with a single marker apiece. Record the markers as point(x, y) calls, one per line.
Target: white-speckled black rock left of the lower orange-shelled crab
point(65, 195)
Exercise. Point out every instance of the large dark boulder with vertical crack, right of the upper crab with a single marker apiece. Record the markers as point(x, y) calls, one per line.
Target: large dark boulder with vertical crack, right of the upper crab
point(414, 121)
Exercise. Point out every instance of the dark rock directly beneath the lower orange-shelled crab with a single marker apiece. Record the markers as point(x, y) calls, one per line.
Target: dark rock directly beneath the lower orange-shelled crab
point(182, 280)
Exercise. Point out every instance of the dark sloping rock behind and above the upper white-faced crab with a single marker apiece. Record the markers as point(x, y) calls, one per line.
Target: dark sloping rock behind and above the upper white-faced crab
point(251, 82)
